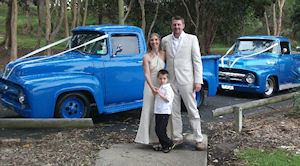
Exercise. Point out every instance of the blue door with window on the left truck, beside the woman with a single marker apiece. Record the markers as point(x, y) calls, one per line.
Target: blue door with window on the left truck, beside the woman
point(124, 76)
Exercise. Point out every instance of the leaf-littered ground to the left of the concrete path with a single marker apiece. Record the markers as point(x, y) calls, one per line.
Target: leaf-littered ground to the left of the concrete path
point(66, 146)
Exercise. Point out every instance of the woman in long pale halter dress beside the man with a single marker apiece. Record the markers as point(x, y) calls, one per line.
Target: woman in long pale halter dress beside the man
point(153, 61)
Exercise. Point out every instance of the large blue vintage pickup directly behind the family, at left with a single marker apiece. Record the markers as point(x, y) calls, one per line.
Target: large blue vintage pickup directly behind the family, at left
point(101, 68)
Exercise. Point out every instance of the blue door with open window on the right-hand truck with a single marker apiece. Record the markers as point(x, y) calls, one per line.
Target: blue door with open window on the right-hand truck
point(285, 64)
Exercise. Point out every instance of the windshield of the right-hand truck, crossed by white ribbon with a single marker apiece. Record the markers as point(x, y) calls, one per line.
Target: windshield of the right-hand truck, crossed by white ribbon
point(254, 45)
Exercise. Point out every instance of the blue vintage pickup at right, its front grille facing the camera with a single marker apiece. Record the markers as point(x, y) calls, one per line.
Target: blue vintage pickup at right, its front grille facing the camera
point(260, 64)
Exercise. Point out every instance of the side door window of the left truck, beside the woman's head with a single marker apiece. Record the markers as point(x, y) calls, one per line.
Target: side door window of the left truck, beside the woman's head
point(128, 43)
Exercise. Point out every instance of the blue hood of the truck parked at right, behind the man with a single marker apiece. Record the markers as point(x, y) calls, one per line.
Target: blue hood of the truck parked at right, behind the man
point(260, 61)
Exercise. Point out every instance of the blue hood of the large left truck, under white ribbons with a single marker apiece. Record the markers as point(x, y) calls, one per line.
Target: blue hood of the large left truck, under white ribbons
point(71, 62)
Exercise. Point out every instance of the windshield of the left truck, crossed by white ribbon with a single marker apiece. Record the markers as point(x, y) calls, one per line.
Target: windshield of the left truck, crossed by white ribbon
point(98, 47)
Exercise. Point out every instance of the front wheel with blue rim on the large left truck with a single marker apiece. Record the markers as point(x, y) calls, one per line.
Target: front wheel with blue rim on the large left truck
point(72, 105)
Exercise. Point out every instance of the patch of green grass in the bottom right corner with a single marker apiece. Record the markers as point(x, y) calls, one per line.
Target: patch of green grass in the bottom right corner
point(277, 157)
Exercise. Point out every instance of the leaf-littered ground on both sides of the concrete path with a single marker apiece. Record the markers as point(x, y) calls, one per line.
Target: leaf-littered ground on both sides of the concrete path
point(81, 146)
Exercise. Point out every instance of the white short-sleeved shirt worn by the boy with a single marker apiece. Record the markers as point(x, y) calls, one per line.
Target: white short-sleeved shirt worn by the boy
point(160, 106)
